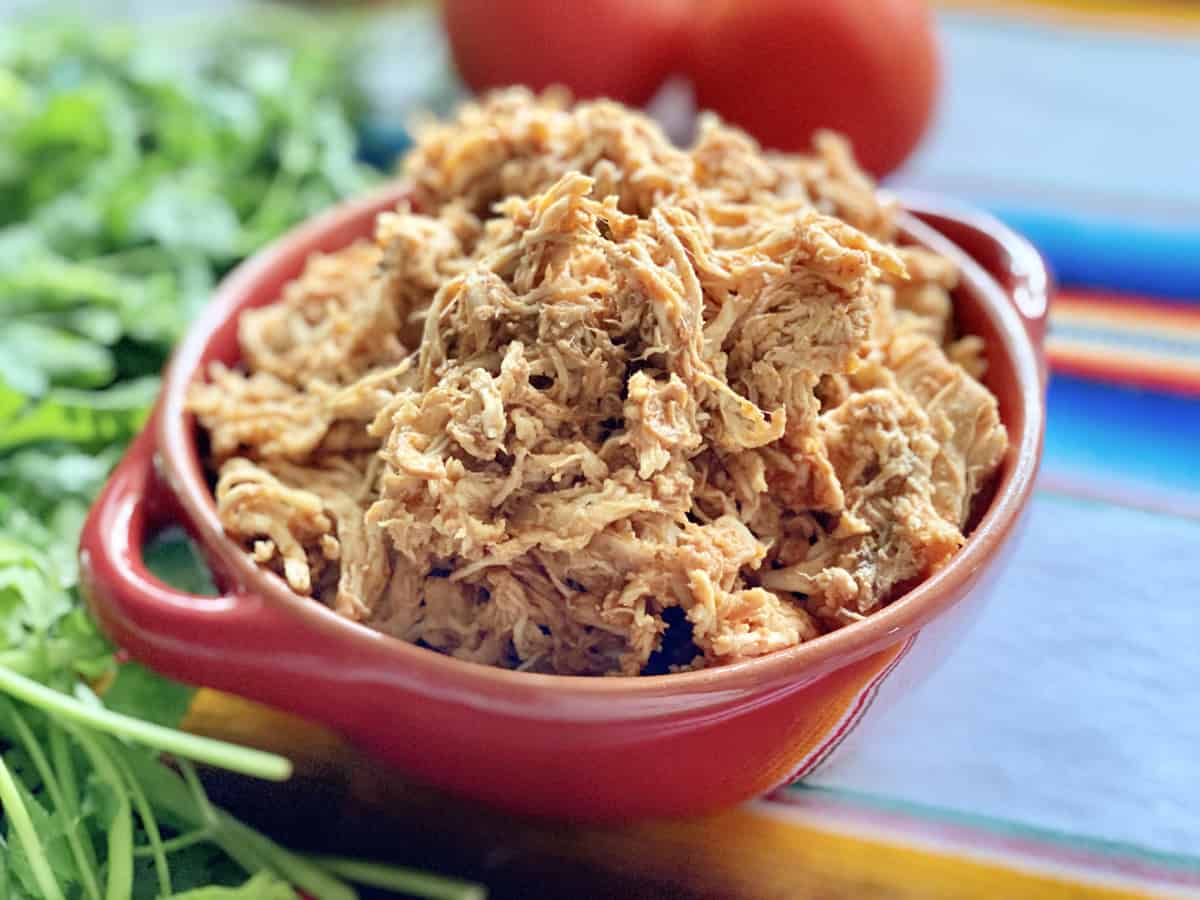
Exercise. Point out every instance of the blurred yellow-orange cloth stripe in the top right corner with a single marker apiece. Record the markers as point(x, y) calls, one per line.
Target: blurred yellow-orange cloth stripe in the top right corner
point(1159, 16)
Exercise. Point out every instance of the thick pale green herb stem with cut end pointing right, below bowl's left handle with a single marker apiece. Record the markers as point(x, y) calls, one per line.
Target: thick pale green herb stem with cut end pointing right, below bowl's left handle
point(207, 751)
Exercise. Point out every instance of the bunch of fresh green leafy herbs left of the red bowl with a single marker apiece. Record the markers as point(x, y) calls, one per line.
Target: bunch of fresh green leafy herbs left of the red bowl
point(136, 169)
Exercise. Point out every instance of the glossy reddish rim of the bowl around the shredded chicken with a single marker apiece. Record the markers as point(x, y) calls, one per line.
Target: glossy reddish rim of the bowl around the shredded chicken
point(1012, 316)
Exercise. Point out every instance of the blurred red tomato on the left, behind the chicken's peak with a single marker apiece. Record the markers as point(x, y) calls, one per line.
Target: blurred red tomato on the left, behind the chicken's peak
point(599, 49)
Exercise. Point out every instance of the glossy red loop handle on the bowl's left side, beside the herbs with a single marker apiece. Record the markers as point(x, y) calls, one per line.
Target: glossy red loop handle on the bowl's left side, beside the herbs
point(208, 640)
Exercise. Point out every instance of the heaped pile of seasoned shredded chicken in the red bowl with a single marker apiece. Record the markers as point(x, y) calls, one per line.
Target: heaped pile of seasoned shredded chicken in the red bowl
point(591, 389)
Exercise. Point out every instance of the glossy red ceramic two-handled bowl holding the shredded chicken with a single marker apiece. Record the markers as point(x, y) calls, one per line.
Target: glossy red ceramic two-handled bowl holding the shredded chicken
point(557, 746)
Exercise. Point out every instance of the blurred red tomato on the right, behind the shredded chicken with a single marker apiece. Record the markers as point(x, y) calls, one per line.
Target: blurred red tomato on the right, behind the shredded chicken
point(783, 69)
